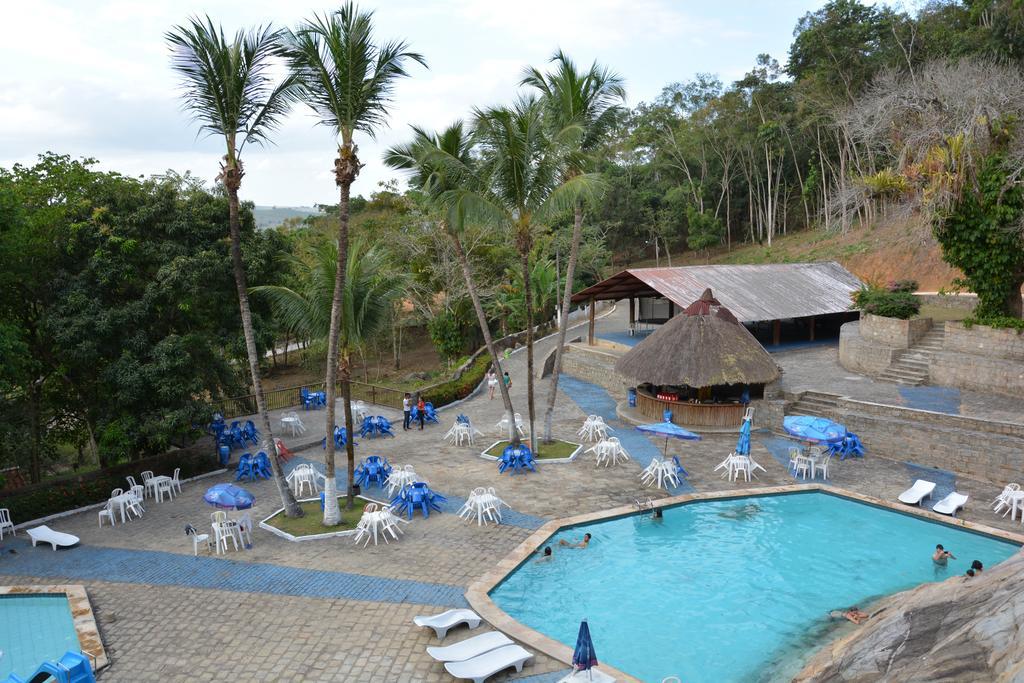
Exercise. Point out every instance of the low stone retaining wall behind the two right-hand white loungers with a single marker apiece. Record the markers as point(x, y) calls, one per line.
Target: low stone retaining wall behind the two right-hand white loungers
point(978, 449)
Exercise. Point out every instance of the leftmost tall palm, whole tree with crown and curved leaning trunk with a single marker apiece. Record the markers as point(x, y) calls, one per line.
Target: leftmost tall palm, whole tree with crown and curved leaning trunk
point(229, 90)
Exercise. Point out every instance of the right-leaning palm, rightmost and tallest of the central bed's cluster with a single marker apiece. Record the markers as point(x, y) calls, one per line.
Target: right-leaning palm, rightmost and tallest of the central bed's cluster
point(583, 110)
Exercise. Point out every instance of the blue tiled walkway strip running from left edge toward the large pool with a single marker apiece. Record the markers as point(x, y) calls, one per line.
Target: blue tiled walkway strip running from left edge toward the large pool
point(159, 569)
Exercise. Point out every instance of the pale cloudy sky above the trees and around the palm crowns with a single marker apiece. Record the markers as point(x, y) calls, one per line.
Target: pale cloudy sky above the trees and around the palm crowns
point(94, 78)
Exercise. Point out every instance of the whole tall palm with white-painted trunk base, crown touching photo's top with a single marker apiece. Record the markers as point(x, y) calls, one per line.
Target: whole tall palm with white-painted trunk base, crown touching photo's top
point(348, 80)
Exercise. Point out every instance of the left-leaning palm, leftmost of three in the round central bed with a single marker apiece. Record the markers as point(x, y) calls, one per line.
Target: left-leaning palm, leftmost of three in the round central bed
point(441, 163)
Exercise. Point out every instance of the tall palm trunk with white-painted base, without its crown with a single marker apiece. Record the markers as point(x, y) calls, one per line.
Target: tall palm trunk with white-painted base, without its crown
point(347, 168)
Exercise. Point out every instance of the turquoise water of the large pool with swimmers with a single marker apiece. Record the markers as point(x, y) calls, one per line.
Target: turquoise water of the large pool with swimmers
point(736, 590)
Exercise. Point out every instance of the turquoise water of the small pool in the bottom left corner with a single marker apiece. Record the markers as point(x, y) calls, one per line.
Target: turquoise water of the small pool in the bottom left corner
point(34, 628)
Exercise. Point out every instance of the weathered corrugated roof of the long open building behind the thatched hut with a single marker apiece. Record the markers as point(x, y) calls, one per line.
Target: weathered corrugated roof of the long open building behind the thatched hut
point(754, 293)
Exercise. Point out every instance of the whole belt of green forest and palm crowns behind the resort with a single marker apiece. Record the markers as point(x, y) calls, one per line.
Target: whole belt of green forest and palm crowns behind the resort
point(120, 314)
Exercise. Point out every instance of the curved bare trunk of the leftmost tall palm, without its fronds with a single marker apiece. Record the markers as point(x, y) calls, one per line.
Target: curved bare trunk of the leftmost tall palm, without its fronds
point(233, 180)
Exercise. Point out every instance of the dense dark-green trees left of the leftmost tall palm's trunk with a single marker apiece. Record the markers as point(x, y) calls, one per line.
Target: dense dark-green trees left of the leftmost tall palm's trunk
point(118, 303)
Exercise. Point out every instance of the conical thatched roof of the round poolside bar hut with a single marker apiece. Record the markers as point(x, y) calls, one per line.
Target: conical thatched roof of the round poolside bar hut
point(703, 347)
